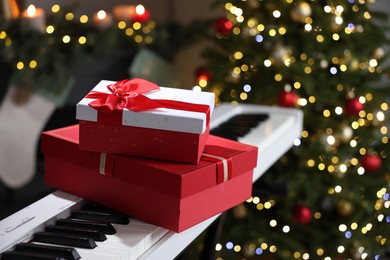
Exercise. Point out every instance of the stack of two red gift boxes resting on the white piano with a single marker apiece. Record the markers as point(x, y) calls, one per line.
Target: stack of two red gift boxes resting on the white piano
point(146, 151)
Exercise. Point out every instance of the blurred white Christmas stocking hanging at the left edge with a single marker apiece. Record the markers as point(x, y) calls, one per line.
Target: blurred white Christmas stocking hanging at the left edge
point(22, 118)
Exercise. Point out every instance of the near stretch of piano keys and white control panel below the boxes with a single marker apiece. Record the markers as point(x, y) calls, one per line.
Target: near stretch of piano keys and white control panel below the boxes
point(69, 221)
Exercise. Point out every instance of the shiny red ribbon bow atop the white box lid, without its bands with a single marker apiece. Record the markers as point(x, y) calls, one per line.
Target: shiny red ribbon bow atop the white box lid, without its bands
point(125, 94)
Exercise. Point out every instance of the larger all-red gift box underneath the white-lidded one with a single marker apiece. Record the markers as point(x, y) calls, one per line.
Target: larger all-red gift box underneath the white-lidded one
point(173, 195)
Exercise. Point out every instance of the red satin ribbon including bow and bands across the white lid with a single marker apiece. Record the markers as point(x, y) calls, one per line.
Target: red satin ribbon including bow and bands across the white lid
point(128, 94)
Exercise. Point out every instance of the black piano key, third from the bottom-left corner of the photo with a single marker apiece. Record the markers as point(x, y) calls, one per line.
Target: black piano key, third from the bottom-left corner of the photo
point(64, 239)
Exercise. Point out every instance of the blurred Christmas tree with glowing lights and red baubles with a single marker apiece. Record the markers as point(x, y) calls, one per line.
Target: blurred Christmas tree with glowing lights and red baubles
point(326, 58)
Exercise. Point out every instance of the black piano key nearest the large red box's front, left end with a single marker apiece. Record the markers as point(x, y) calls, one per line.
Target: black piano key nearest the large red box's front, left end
point(100, 216)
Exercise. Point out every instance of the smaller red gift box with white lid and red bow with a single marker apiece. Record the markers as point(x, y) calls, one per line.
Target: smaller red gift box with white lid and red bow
point(139, 118)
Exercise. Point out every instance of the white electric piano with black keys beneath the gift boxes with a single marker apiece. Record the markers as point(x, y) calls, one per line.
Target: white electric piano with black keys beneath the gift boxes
point(31, 232)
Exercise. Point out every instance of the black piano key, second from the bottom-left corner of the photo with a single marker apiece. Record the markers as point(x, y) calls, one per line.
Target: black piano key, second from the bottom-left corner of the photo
point(65, 252)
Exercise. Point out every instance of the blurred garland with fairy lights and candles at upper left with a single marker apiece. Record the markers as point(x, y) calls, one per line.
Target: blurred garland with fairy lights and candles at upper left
point(60, 33)
